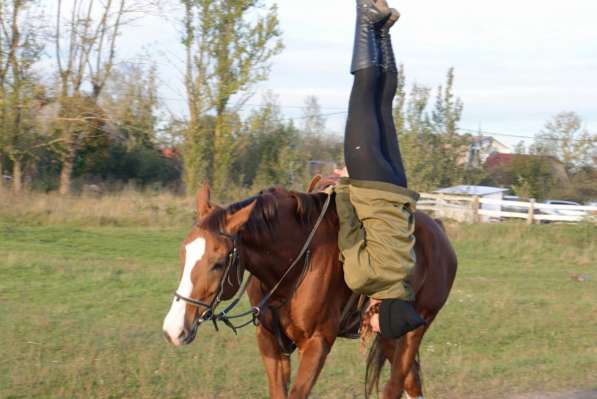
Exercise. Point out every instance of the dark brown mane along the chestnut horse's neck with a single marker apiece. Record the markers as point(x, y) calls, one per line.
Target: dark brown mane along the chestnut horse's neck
point(264, 219)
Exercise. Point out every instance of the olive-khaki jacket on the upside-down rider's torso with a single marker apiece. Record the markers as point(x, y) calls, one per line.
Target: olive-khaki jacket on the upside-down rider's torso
point(376, 237)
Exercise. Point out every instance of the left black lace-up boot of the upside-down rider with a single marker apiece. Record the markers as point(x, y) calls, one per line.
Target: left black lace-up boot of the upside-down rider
point(371, 16)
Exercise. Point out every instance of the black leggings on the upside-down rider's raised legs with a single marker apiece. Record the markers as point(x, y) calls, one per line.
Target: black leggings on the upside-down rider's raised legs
point(371, 148)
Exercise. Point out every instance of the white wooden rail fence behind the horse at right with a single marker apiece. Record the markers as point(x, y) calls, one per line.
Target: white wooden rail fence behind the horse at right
point(470, 209)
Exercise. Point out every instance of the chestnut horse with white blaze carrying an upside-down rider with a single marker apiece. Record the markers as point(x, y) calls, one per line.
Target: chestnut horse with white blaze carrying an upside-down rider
point(287, 240)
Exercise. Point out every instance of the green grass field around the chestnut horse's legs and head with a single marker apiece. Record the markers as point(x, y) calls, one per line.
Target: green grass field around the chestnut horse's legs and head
point(81, 311)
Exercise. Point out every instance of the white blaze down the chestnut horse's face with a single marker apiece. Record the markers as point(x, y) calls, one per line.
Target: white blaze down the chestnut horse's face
point(174, 321)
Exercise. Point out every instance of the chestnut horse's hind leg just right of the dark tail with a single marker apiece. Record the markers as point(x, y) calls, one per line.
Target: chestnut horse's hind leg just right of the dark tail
point(402, 363)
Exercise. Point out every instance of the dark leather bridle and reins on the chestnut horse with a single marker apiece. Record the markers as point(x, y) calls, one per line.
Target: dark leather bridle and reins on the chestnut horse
point(234, 259)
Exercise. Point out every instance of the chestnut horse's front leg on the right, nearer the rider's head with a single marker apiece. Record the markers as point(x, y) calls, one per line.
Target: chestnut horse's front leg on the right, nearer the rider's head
point(313, 353)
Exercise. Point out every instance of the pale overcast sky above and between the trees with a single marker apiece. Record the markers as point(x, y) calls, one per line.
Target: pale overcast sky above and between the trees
point(517, 62)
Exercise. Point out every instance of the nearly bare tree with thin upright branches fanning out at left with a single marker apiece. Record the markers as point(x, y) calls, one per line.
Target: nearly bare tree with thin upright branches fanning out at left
point(85, 47)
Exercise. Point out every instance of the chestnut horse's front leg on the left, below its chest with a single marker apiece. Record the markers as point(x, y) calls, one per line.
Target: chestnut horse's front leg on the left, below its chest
point(277, 365)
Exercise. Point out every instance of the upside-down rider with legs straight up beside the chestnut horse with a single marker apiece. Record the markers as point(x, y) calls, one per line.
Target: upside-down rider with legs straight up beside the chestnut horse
point(375, 207)
